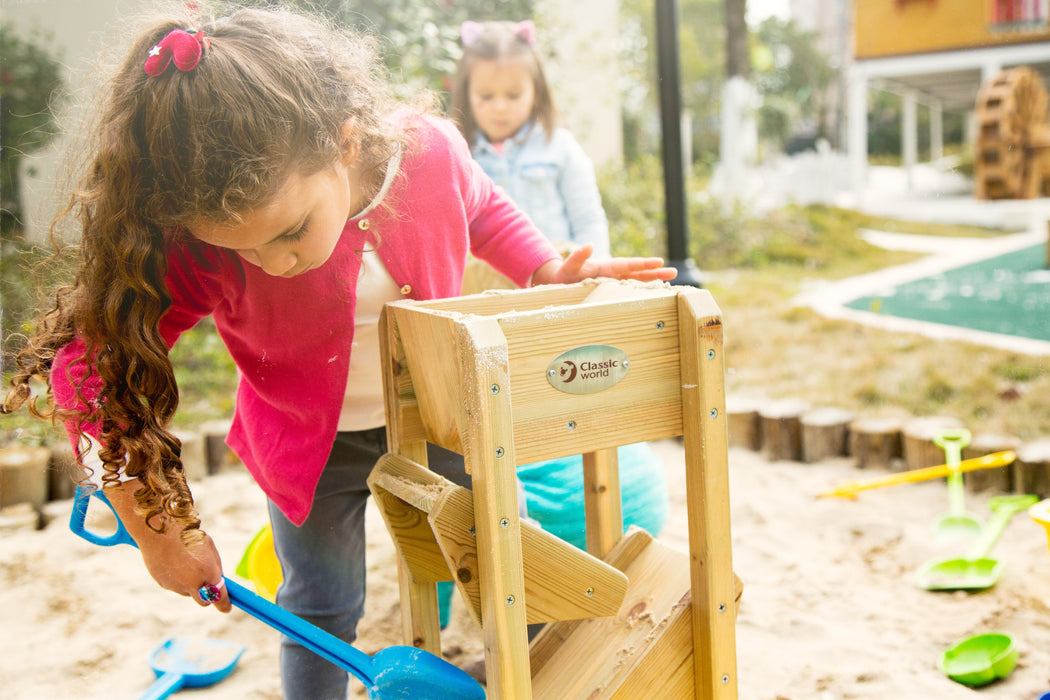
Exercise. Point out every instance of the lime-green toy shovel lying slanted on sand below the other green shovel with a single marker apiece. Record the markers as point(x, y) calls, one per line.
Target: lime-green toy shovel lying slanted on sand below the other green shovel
point(977, 570)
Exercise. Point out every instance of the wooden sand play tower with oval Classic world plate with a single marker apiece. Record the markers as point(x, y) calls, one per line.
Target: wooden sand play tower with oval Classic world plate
point(514, 377)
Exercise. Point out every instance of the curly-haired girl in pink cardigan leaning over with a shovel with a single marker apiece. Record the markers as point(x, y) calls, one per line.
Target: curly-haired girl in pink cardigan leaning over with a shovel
point(251, 167)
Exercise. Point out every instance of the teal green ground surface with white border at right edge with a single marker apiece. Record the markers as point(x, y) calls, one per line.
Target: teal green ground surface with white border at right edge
point(1009, 294)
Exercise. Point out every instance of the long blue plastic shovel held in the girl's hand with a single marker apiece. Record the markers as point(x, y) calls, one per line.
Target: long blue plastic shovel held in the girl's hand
point(395, 672)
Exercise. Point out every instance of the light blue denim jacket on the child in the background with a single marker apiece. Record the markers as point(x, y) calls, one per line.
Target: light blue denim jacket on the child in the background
point(553, 182)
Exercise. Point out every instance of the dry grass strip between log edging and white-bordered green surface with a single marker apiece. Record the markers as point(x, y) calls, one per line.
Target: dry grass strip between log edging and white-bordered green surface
point(776, 351)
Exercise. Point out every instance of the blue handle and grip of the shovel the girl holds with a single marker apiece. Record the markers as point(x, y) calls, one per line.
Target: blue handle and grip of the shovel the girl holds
point(309, 635)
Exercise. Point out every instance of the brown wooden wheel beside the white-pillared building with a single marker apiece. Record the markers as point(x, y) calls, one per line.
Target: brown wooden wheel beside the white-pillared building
point(1013, 158)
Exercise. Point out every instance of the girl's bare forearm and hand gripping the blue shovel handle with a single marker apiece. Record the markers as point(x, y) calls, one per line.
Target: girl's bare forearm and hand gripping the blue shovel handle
point(172, 564)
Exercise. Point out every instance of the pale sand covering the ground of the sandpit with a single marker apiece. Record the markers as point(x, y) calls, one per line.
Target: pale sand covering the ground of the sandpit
point(830, 611)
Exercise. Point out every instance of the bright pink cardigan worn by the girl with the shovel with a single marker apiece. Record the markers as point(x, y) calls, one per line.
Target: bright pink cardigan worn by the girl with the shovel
point(291, 338)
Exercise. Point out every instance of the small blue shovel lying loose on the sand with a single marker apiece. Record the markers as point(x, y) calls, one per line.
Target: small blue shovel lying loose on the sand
point(180, 663)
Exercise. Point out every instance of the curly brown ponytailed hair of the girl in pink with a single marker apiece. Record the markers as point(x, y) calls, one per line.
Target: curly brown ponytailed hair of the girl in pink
point(267, 101)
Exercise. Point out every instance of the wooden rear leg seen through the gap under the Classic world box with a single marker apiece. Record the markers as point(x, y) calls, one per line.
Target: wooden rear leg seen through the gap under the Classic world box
point(603, 504)
